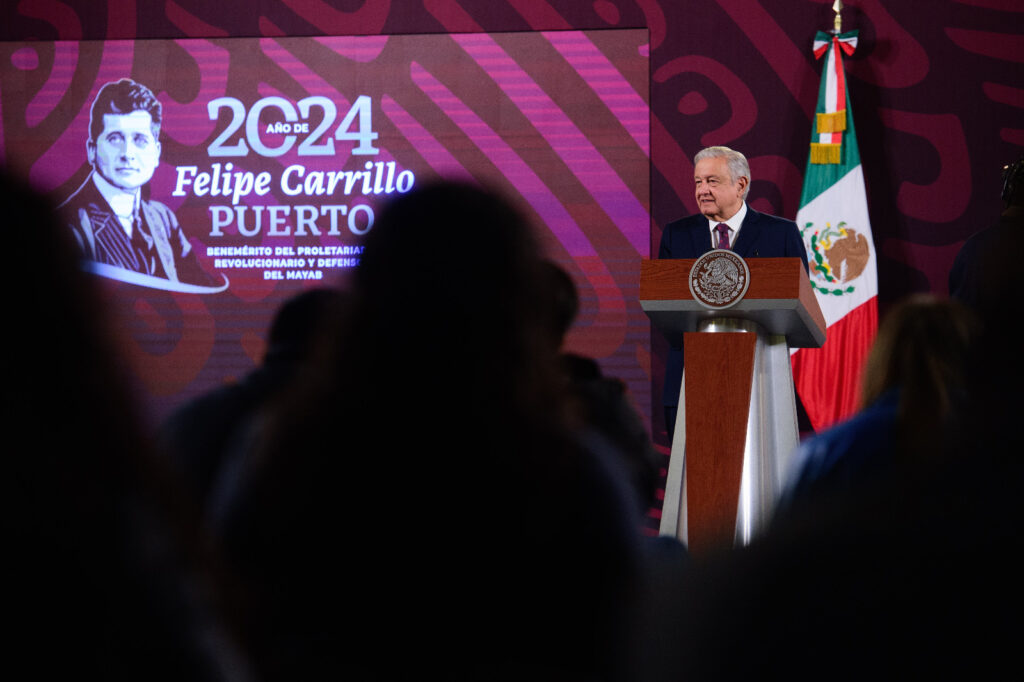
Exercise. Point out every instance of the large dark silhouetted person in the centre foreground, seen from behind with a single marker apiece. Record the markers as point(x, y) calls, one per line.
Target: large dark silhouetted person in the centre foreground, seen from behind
point(422, 508)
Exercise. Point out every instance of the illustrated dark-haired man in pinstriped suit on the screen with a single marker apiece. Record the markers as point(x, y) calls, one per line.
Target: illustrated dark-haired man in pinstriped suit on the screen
point(112, 223)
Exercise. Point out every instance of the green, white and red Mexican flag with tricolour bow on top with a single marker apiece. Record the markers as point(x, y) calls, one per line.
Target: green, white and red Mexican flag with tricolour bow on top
point(833, 220)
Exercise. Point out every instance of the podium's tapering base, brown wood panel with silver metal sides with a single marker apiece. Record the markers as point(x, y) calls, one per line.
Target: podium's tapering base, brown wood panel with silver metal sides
point(735, 438)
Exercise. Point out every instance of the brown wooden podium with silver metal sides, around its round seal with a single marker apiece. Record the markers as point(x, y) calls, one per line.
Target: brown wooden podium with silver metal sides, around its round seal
point(737, 429)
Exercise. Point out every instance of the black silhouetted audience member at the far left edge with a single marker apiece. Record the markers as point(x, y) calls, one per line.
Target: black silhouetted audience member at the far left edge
point(106, 576)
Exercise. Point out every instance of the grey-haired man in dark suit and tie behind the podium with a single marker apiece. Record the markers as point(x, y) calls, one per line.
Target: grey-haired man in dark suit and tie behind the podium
point(722, 178)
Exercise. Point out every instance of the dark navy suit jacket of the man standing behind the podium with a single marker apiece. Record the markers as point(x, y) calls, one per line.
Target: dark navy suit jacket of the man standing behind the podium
point(761, 236)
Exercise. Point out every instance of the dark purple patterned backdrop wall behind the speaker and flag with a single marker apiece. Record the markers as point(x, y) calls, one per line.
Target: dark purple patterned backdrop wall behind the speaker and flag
point(938, 90)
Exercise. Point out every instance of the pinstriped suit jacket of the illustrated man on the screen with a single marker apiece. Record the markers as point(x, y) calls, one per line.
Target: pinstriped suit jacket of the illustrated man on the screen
point(162, 249)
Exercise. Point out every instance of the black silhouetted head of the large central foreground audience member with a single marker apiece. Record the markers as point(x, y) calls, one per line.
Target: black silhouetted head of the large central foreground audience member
point(451, 289)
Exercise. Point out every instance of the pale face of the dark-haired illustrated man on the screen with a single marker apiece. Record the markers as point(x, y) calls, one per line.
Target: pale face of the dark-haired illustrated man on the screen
point(126, 152)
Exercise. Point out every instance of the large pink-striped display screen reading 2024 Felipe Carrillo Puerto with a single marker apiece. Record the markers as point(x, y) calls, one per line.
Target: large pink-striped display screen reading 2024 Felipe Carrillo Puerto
point(273, 156)
